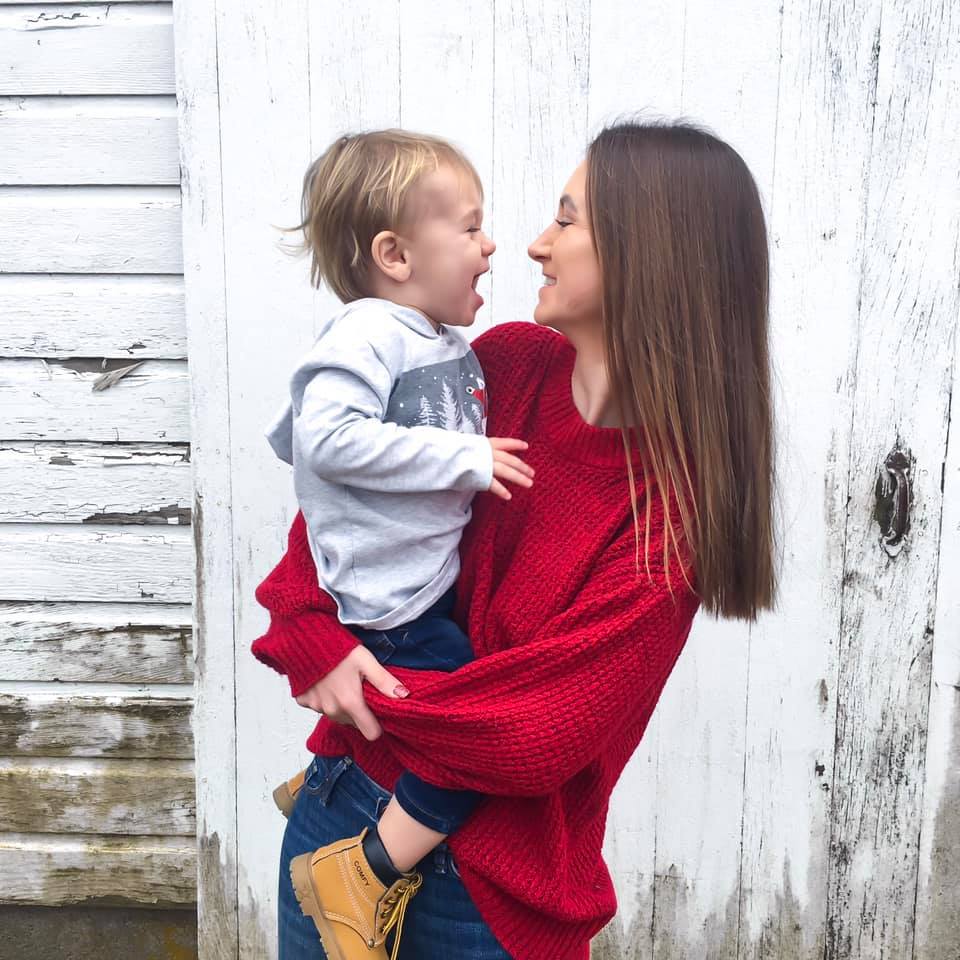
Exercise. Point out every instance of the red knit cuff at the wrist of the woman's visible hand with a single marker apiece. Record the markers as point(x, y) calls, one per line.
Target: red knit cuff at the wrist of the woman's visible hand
point(304, 648)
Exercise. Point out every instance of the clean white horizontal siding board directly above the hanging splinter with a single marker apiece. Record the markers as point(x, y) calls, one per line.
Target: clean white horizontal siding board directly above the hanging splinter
point(93, 316)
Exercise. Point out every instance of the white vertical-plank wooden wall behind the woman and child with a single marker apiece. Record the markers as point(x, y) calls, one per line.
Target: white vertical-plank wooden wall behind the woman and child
point(797, 793)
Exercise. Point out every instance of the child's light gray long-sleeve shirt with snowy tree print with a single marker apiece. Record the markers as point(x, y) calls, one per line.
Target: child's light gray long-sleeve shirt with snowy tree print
point(384, 430)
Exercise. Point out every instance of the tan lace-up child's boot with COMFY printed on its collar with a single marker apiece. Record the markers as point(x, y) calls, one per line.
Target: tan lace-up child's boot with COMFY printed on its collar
point(352, 909)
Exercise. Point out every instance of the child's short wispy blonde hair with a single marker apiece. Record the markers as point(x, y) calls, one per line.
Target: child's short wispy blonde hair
point(357, 187)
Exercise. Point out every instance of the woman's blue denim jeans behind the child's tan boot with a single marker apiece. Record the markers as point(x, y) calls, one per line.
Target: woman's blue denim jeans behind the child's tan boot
point(338, 800)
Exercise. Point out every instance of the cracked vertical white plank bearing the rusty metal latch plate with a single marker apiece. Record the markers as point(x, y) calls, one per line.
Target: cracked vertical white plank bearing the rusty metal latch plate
point(908, 315)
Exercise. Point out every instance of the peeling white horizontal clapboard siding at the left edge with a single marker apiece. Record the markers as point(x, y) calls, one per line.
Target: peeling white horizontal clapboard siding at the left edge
point(96, 557)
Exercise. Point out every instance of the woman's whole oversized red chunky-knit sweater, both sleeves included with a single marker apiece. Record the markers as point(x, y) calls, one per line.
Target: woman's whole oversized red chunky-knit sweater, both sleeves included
point(573, 648)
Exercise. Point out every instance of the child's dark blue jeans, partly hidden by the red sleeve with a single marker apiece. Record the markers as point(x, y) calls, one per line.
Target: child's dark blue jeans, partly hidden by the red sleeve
point(431, 642)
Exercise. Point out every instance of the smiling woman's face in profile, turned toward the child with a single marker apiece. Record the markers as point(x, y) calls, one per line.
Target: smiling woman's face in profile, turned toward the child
point(571, 295)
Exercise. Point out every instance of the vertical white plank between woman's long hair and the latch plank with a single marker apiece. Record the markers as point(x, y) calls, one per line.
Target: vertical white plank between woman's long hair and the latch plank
point(817, 245)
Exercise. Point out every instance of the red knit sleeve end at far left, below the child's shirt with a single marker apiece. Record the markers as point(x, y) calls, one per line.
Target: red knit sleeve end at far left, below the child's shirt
point(305, 640)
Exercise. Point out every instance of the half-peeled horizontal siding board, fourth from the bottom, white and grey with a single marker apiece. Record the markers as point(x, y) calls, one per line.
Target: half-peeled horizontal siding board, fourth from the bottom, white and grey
point(117, 643)
